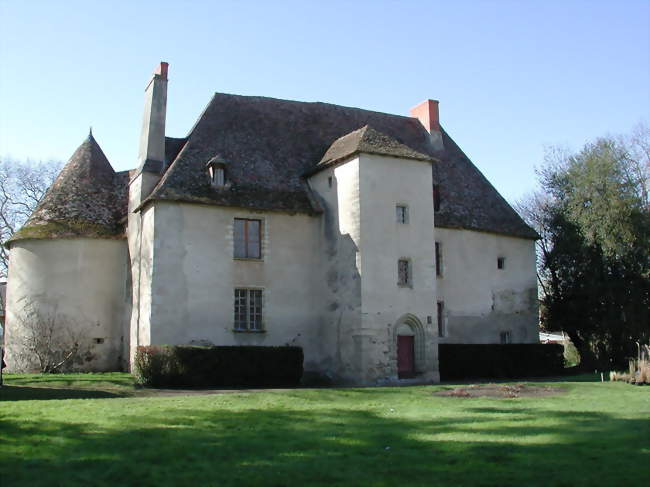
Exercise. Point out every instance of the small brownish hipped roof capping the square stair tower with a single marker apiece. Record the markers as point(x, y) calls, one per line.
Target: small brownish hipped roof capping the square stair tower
point(370, 141)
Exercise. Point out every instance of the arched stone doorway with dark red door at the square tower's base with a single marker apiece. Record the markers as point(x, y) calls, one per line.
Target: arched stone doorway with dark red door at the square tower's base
point(409, 346)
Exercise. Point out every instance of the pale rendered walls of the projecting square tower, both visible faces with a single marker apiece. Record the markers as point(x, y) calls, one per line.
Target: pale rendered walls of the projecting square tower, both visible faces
point(361, 244)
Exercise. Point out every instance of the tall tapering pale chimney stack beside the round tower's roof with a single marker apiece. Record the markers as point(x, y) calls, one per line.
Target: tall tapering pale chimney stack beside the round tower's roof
point(152, 137)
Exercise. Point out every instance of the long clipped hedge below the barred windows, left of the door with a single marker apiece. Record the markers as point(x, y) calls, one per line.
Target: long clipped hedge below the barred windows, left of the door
point(186, 366)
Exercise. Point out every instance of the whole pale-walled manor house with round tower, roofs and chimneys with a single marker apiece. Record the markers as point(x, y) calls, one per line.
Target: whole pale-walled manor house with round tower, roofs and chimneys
point(365, 238)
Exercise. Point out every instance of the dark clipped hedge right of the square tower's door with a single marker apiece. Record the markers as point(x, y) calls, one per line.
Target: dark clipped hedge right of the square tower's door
point(500, 361)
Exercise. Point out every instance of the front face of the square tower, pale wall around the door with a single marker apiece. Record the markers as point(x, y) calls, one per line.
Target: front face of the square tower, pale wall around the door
point(385, 183)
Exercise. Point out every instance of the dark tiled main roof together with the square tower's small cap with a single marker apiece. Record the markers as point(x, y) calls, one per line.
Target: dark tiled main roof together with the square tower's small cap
point(271, 144)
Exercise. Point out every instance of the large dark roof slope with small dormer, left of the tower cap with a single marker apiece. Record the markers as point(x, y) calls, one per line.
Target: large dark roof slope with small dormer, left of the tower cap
point(269, 144)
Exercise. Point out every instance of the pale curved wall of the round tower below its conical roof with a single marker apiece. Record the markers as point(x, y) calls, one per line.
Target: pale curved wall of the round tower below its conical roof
point(79, 281)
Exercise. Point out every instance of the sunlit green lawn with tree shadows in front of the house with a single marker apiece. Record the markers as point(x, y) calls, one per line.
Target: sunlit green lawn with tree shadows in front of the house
point(97, 429)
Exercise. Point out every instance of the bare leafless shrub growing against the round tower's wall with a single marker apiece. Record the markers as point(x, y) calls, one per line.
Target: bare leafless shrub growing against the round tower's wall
point(48, 342)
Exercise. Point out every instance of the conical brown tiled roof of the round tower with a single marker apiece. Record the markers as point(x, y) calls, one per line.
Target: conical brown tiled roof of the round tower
point(87, 199)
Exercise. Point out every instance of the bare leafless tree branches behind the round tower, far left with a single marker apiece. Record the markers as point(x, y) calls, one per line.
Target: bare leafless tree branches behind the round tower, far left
point(22, 185)
